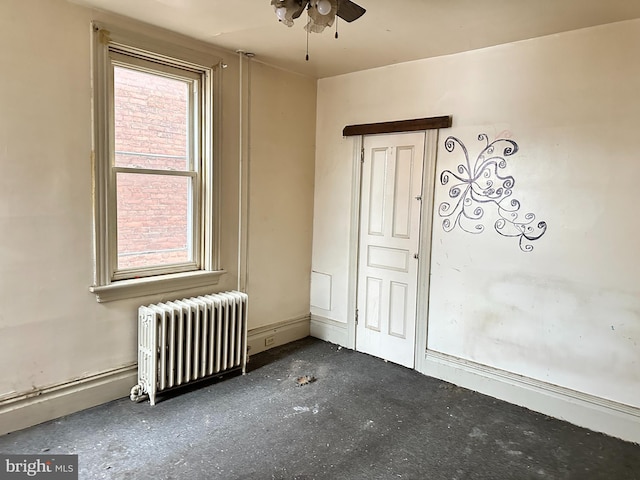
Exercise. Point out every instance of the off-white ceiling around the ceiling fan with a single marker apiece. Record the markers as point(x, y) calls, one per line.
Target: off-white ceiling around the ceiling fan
point(391, 31)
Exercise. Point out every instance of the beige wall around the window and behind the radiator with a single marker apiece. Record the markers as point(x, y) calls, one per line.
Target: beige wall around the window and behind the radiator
point(52, 330)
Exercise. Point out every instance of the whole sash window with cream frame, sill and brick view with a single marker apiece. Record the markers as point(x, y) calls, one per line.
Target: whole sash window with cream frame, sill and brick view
point(154, 202)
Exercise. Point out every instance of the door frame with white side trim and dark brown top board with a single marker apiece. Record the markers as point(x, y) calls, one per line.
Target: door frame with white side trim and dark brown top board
point(430, 126)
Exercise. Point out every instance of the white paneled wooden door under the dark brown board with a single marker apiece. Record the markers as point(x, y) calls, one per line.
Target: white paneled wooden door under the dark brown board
point(391, 201)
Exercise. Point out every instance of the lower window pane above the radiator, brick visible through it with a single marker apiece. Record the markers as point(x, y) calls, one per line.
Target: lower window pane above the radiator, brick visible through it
point(153, 220)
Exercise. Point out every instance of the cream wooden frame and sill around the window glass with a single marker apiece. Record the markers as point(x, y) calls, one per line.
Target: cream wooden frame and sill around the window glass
point(109, 283)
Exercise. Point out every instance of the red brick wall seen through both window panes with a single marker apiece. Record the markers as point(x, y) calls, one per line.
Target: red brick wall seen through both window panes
point(151, 131)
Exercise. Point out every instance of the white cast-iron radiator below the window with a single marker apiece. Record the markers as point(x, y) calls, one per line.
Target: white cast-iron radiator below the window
point(188, 340)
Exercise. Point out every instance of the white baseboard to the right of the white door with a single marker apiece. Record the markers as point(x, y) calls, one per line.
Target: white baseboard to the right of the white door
point(597, 414)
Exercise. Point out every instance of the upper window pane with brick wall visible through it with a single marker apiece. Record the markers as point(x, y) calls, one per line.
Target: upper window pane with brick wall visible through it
point(150, 115)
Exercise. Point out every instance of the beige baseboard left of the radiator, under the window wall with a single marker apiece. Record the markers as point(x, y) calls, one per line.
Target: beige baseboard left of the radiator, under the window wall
point(25, 410)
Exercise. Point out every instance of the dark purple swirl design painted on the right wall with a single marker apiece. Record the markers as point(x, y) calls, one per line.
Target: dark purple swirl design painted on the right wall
point(484, 185)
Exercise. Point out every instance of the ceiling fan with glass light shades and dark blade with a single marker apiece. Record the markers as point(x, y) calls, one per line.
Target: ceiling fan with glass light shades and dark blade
point(321, 13)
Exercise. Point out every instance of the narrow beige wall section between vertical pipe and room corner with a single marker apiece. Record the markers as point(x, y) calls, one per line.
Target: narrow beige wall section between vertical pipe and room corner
point(281, 169)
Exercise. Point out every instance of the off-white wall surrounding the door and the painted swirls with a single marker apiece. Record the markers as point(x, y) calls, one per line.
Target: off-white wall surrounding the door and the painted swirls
point(567, 313)
